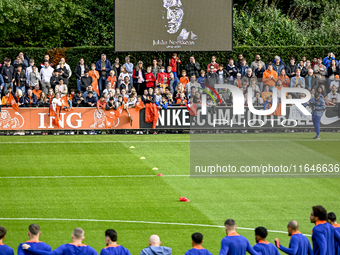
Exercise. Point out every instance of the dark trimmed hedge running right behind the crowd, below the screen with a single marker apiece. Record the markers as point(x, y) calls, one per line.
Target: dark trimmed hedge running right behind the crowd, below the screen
point(92, 54)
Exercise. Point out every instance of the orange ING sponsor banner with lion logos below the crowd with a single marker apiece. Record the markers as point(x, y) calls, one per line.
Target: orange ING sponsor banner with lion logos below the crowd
point(78, 118)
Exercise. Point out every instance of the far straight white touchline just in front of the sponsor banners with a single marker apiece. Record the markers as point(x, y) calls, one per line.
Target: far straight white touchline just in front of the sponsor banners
point(184, 141)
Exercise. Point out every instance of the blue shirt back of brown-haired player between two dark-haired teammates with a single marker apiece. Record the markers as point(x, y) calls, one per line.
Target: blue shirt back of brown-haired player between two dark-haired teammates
point(235, 245)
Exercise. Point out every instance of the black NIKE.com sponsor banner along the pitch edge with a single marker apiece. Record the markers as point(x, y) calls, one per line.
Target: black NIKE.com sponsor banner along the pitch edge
point(223, 118)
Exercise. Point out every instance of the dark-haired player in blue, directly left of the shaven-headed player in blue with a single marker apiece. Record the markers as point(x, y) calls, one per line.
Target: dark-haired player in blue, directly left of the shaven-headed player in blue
point(262, 245)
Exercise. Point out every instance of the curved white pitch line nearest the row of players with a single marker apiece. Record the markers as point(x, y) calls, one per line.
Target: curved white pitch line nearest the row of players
point(139, 222)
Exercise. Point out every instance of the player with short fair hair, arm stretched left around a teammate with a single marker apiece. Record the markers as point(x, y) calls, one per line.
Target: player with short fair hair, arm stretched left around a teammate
point(76, 247)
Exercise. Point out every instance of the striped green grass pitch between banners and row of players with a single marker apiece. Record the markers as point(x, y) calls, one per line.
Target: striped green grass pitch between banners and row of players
point(131, 196)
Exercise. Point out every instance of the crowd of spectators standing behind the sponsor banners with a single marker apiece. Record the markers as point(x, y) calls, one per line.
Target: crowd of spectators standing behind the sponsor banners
point(34, 85)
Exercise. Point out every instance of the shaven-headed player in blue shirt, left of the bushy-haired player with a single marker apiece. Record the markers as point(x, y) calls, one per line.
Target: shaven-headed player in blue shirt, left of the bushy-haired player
point(299, 244)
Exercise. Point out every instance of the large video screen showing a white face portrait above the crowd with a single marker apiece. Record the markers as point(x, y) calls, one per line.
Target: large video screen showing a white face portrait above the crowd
point(173, 25)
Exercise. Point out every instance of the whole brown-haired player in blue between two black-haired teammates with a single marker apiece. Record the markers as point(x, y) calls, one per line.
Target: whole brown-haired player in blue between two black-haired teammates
point(234, 243)
